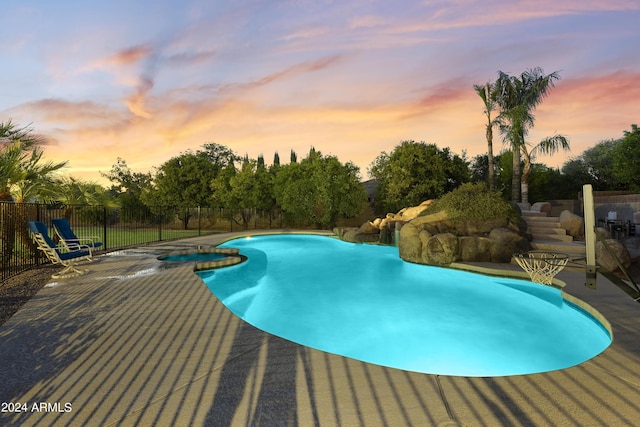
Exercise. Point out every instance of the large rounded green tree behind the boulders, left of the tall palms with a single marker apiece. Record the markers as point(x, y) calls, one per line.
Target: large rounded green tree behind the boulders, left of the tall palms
point(414, 172)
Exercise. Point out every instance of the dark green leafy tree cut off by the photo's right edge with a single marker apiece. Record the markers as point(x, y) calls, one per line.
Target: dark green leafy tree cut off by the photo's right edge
point(626, 159)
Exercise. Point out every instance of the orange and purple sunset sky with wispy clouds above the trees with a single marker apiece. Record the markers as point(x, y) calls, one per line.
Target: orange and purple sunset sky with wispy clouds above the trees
point(147, 80)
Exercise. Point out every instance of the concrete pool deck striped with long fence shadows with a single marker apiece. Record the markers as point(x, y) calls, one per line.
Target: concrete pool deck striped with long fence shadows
point(138, 342)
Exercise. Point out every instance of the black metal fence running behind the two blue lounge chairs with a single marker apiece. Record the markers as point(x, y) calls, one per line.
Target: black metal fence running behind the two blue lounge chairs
point(117, 227)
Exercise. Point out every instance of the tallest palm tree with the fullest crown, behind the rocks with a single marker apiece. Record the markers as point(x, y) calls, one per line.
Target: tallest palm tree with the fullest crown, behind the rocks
point(517, 98)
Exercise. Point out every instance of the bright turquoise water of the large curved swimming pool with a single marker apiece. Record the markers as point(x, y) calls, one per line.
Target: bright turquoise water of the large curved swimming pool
point(364, 302)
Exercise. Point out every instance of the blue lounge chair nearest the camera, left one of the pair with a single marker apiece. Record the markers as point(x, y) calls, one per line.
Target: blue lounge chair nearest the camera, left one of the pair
point(57, 255)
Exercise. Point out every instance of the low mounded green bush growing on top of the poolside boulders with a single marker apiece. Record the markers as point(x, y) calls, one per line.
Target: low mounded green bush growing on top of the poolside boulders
point(473, 201)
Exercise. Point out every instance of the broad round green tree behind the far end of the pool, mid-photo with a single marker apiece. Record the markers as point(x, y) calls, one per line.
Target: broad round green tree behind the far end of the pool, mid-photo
point(319, 190)
